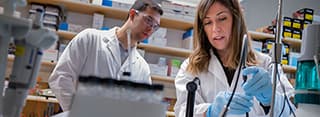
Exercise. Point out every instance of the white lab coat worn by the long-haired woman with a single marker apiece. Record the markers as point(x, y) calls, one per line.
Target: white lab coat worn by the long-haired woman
point(214, 81)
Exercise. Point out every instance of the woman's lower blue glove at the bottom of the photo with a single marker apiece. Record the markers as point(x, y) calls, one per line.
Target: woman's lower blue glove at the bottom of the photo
point(240, 104)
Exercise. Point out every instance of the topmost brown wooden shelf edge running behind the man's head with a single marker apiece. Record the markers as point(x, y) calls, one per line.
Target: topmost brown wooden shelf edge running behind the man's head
point(110, 12)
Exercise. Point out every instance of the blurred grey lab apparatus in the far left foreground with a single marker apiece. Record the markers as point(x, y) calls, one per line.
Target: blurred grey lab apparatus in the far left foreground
point(30, 38)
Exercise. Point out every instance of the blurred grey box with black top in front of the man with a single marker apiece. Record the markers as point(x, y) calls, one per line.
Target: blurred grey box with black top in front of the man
point(96, 96)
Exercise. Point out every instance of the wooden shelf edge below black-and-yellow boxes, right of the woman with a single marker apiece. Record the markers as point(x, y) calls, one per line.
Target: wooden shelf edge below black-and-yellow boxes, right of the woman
point(296, 43)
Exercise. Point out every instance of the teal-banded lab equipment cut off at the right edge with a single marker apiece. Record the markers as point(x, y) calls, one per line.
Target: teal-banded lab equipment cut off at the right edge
point(307, 89)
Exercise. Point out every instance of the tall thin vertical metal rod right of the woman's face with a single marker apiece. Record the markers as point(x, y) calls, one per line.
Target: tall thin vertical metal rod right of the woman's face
point(276, 57)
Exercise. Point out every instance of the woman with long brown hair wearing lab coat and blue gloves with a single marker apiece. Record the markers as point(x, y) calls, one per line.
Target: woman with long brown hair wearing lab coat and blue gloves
point(218, 31)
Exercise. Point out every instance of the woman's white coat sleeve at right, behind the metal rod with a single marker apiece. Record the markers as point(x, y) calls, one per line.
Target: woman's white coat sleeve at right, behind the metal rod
point(280, 98)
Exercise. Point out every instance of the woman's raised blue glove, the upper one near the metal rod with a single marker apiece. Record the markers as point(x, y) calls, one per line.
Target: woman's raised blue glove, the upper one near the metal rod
point(259, 85)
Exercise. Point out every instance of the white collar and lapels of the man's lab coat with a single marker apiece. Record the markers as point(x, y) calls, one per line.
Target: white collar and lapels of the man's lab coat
point(113, 46)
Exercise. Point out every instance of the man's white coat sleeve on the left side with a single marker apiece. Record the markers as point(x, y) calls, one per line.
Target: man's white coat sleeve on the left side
point(63, 79)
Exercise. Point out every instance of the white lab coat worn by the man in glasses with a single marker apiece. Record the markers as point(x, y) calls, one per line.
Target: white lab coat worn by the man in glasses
point(93, 53)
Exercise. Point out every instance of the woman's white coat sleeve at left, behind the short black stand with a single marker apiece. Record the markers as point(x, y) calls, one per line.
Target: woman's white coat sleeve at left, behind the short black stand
point(181, 80)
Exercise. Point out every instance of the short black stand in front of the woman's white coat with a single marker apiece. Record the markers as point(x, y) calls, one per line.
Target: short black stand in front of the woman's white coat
point(191, 87)
